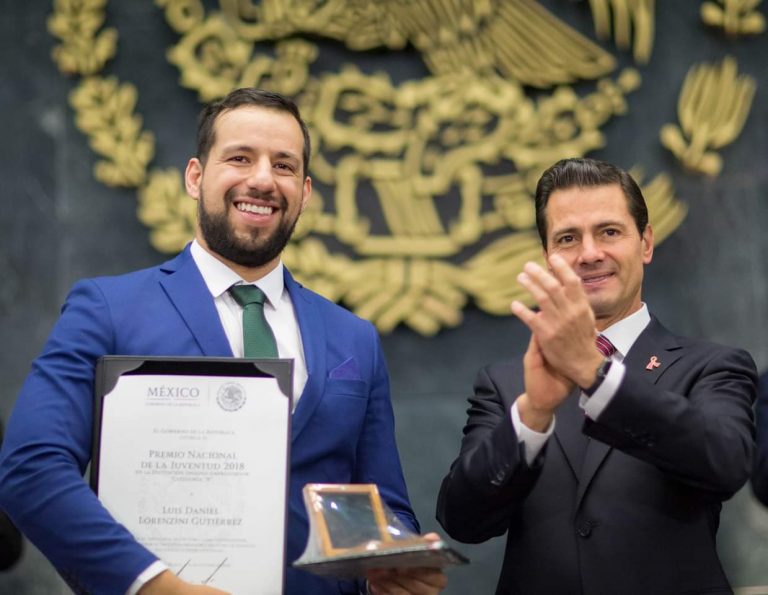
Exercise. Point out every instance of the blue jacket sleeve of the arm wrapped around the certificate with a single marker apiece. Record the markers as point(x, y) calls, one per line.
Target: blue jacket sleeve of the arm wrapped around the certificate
point(46, 450)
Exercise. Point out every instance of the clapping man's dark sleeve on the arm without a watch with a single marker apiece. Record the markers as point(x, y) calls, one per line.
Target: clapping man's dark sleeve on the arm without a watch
point(490, 477)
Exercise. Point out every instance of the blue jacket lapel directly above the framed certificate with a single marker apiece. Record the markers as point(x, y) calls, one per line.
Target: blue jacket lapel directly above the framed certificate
point(185, 287)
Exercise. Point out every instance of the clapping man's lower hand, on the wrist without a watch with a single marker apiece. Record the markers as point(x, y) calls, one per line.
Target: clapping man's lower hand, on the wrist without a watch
point(545, 389)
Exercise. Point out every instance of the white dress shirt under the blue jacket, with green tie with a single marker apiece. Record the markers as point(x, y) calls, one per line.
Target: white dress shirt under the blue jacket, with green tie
point(279, 312)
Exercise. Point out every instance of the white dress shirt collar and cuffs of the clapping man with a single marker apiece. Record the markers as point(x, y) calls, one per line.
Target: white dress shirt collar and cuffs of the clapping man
point(623, 335)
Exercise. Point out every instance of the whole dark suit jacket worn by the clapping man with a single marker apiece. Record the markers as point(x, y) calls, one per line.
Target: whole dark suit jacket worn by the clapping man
point(628, 504)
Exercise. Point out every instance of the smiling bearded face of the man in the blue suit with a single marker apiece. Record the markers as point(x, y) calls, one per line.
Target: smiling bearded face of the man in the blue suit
point(251, 188)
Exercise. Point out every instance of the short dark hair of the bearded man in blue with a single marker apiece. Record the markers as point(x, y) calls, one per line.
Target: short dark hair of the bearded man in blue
point(238, 98)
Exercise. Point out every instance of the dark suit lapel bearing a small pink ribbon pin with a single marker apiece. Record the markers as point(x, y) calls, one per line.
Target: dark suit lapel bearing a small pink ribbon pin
point(654, 341)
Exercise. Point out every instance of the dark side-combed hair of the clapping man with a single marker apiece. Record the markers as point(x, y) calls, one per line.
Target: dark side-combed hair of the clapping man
point(584, 173)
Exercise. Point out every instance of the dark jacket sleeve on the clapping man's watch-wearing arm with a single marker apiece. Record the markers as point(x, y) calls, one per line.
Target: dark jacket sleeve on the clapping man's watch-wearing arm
point(695, 424)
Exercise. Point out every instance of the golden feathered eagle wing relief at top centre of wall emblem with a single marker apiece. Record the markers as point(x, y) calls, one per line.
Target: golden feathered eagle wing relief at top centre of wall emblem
point(518, 39)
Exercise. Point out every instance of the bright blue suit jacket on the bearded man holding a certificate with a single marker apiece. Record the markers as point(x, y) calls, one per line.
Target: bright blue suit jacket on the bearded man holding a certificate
point(342, 428)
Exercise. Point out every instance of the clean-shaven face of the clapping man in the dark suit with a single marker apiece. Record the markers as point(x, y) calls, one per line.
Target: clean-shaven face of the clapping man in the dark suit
point(592, 229)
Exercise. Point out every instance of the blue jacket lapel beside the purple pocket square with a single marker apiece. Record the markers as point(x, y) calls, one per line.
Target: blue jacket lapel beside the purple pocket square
point(313, 339)
